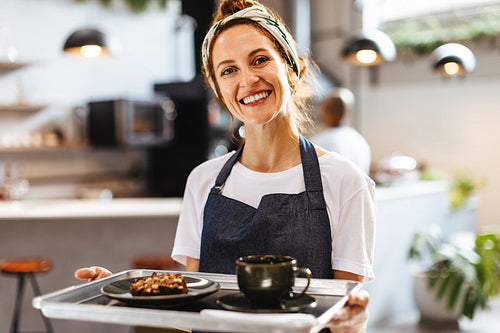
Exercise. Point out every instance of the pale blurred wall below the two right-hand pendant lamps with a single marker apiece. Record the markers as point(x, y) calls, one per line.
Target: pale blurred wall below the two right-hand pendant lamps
point(450, 125)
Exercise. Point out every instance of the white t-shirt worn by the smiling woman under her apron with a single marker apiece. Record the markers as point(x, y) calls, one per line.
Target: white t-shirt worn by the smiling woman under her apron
point(349, 196)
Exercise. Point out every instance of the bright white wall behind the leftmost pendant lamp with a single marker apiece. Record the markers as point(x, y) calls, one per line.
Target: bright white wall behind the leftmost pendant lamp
point(145, 44)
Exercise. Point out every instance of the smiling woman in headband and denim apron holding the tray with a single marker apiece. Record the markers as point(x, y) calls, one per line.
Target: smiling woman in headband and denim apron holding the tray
point(278, 193)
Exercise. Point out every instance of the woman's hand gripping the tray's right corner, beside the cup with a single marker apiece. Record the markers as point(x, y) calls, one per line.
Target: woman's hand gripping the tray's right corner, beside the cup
point(353, 317)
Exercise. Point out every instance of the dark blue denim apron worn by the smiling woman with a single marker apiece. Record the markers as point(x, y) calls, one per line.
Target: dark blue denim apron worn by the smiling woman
point(296, 225)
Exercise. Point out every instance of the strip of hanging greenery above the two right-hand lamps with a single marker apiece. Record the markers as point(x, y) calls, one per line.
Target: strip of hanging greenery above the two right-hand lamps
point(421, 36)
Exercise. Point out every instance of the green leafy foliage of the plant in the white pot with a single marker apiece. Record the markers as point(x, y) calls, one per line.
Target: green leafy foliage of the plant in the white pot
point(466, 275)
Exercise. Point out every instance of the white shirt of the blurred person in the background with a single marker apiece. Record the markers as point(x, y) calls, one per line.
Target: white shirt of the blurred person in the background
point(347, 142)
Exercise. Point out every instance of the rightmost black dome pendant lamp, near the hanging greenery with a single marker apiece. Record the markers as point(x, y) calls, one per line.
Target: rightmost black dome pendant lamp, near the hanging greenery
point(453, 59)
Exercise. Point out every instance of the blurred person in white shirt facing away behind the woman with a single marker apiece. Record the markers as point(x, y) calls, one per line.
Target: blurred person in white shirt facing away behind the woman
point(339, 137)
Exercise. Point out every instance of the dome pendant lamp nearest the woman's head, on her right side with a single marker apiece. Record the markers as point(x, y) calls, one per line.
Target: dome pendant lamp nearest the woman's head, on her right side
point(369, 49)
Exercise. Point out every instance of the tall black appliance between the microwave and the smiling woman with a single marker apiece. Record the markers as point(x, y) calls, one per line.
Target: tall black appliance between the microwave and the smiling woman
point(196, 137)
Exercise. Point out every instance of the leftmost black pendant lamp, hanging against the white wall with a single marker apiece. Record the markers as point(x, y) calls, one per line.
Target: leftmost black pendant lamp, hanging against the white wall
point(89, 43)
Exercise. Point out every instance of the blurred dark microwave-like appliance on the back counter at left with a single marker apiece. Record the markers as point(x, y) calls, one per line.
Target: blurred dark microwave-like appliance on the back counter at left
point(130, 123)
